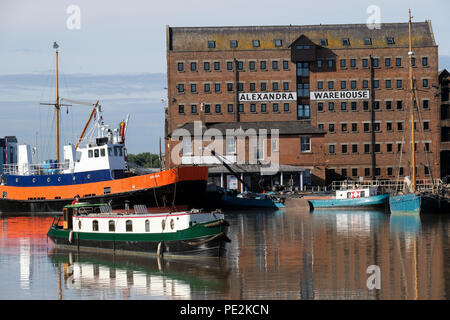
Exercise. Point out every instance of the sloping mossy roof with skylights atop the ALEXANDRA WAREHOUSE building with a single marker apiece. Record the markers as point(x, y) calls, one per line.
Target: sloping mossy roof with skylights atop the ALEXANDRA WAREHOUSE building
point(197, 38)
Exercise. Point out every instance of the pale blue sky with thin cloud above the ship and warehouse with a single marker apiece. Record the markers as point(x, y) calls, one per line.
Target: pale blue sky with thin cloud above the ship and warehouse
point(114, 51)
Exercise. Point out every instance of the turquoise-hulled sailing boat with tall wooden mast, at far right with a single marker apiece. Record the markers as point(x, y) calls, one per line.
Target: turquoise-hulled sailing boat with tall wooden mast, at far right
point(413, 202)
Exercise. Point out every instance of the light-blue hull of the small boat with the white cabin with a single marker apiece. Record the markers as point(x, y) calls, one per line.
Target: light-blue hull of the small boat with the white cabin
point(375, 202)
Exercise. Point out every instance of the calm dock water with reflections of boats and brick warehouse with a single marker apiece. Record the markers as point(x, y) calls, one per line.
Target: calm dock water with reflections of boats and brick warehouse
point(283, 254)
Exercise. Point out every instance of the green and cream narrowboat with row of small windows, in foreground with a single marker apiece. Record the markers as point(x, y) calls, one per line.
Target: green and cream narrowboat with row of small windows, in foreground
point(88, 226)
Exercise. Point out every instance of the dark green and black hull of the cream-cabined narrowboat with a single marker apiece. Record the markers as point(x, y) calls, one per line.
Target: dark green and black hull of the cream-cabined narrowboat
point(194, 241)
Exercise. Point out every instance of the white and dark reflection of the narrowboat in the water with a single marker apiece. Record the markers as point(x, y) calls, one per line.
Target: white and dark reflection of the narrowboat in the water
point(118, 277)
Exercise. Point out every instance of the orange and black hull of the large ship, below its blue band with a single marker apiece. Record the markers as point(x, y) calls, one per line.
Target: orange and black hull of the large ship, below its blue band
point(185, 187)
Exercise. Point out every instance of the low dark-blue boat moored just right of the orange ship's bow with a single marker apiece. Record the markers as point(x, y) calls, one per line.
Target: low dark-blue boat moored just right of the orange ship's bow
point(250, 200)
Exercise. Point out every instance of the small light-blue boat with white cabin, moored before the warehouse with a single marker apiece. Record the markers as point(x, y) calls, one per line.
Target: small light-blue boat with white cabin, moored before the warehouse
point(365, 198)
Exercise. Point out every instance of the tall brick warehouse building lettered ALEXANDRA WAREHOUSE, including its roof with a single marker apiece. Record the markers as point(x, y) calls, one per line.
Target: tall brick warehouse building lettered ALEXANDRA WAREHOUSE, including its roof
point(346, 80)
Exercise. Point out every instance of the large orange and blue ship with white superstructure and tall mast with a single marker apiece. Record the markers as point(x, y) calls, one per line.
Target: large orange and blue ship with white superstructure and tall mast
point(95, 170)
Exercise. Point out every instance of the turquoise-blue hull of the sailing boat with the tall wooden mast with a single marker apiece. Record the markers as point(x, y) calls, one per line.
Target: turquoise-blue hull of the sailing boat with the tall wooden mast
point(412, 203)
